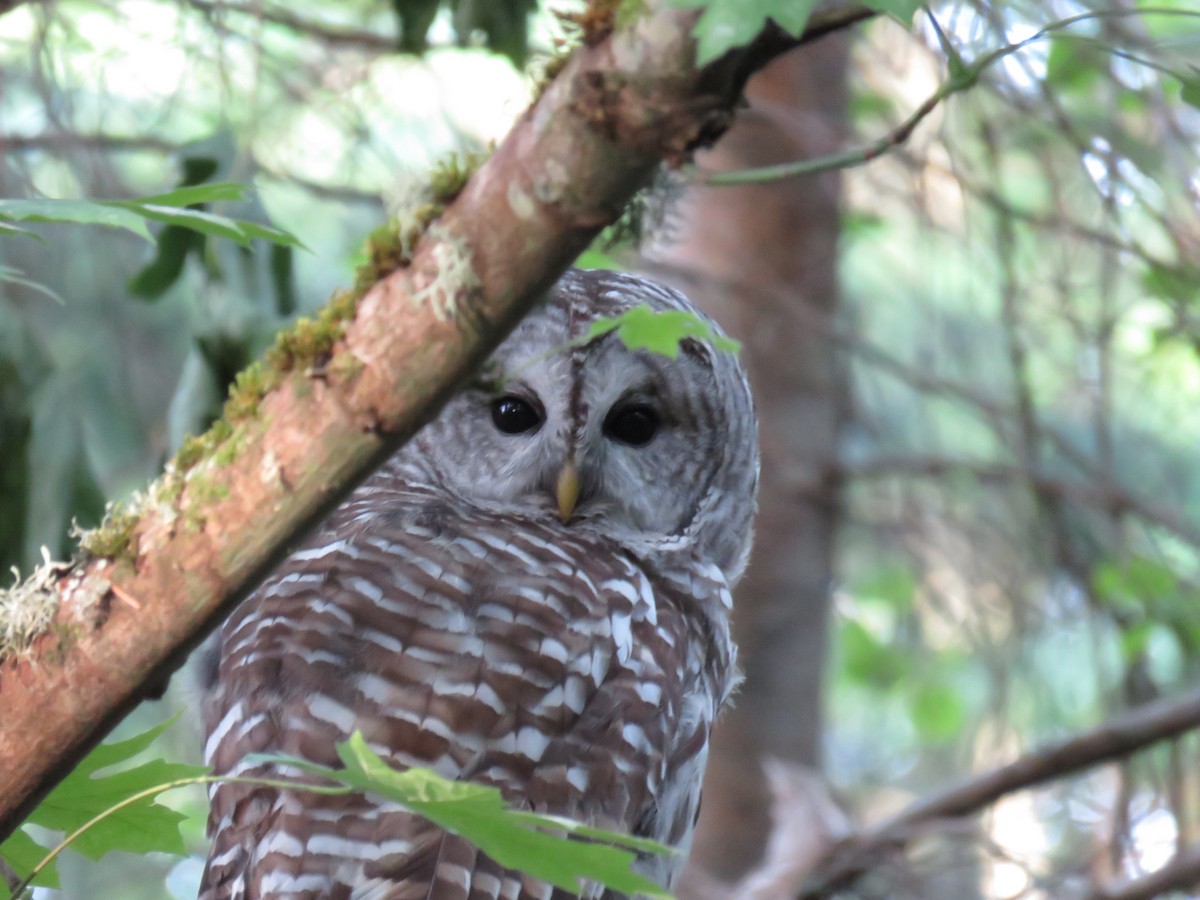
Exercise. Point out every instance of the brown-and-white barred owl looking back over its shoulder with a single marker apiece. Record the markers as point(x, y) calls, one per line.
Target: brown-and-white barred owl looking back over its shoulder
point(533, 595)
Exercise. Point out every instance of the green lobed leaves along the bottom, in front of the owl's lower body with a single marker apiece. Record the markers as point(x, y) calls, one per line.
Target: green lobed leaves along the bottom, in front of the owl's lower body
point(101, 813)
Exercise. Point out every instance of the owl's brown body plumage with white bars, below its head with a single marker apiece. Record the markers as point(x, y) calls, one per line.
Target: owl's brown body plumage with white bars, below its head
point(549, 662)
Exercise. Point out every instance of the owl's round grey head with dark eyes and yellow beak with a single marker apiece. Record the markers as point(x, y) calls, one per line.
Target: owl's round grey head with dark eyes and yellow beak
point(640, 447)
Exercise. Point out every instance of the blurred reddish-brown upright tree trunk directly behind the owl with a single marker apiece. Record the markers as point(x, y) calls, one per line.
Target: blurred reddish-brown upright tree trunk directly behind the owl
point(764, 261)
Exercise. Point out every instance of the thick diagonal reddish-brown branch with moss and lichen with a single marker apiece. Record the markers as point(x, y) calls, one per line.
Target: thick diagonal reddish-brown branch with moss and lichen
point(303, 434)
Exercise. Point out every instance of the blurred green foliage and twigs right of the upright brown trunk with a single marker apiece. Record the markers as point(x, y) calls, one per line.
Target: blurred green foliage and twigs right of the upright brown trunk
point(1019, 556)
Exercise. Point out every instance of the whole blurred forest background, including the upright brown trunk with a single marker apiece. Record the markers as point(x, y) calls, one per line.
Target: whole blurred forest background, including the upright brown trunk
point(975, 353)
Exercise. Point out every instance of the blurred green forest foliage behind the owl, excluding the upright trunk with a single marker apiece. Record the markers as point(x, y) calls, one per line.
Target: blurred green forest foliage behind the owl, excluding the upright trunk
point(1021, 487)
